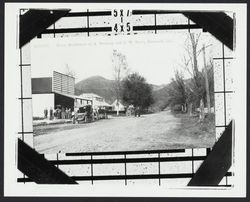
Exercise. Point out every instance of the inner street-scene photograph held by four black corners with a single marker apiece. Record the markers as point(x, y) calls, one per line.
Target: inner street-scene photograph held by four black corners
point(99, 94)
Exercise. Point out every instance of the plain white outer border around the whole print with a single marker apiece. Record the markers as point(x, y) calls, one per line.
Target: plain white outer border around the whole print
point(12, 188)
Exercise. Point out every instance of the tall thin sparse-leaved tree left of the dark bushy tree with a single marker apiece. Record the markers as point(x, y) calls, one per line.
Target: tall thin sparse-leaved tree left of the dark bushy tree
point(120, 67)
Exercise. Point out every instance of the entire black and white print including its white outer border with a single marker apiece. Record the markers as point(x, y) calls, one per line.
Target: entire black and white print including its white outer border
point(120, 96)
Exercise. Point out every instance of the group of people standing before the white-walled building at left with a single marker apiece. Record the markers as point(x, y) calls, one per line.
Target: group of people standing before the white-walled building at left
point(58, 113)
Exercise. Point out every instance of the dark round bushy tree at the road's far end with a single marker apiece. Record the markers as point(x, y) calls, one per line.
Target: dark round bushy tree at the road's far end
point(137, 91)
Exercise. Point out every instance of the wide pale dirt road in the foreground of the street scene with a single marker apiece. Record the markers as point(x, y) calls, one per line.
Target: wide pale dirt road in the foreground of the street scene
point(149, 132)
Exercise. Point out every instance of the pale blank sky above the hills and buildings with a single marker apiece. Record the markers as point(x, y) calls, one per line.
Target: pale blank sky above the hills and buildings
point(153, 56)
